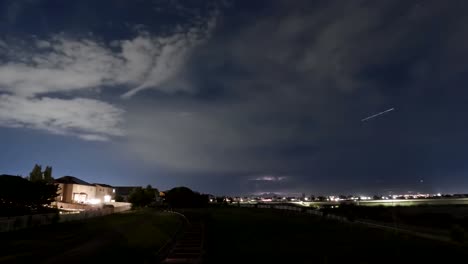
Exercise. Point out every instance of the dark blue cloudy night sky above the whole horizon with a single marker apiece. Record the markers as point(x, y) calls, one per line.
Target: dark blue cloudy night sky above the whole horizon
point(238, 97)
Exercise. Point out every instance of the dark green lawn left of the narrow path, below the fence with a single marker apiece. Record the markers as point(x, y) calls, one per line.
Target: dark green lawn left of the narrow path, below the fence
point(129, 237)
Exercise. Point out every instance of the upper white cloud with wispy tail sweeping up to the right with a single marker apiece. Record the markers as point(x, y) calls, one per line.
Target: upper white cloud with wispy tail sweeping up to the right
point(64, 64)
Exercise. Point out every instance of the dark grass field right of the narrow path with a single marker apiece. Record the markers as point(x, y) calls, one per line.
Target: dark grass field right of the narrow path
point(243, 235)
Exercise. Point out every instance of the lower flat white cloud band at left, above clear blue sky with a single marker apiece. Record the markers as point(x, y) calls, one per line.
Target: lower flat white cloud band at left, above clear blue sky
point(86, 118)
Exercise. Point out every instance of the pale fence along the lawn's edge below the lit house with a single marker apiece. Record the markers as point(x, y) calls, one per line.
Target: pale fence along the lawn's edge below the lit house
point(26, 221)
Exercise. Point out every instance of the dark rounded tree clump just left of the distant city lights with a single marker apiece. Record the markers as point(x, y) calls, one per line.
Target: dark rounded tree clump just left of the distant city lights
point(183, 197)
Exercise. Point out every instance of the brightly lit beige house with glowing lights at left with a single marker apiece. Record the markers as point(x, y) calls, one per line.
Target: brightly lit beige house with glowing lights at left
point(74, 190)
